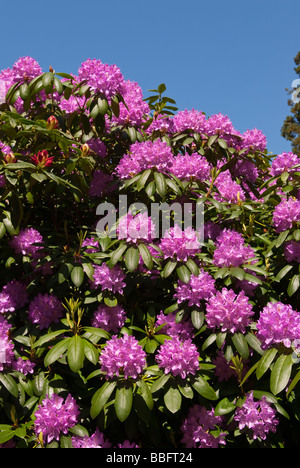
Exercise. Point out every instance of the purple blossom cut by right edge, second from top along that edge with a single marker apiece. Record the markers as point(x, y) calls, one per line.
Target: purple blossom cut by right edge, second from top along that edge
point(286, 214)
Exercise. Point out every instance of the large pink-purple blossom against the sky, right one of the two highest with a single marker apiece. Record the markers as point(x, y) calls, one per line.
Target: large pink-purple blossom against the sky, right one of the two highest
point(102, 78)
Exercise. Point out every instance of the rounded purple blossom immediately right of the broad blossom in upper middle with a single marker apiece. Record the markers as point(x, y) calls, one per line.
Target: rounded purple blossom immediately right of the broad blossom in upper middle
point(191, 166)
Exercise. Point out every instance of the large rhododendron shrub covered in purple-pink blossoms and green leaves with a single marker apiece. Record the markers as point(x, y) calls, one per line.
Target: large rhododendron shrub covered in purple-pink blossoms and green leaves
point(119, 330)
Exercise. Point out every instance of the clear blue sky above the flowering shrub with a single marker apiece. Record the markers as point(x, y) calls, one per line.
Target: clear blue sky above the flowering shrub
point(235, 57)
